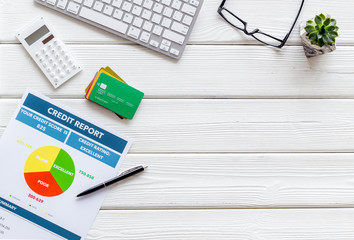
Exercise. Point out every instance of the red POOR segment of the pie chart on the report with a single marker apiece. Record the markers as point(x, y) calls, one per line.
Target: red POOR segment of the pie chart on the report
point(43, 183)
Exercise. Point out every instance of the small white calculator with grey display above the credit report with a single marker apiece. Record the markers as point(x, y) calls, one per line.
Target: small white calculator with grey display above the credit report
point(50, 53)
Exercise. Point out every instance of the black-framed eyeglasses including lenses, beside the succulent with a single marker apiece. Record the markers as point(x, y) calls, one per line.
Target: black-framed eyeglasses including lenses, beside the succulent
point(256, 33)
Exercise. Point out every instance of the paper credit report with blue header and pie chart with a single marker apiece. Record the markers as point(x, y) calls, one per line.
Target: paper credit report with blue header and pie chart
point(49, 154)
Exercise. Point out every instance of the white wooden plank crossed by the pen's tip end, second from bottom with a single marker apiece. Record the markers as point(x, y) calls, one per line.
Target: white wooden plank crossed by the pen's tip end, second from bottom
point(236, 181)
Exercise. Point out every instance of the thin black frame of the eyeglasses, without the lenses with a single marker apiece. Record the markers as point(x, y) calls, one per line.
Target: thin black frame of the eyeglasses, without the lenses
point(282, 42)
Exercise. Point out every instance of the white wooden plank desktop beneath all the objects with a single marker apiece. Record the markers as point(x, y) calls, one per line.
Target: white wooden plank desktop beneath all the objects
point(242, 141)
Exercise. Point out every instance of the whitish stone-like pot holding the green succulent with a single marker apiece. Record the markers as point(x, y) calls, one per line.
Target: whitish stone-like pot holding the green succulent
point(310, 49)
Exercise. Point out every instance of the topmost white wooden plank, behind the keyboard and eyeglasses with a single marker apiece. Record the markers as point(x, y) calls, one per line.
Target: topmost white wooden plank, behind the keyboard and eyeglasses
point(276, 17)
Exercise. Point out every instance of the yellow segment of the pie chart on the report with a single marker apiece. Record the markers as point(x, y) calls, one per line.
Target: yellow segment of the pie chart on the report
point(42, 159)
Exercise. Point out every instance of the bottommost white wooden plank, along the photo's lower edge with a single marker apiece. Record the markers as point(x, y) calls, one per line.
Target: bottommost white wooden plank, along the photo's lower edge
point(301, 224)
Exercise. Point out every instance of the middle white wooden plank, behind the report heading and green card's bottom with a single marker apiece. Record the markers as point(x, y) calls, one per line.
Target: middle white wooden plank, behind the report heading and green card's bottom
point(167, 126)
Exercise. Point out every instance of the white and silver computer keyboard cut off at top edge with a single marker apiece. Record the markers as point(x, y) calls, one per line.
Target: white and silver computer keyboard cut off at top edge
point(161, 25)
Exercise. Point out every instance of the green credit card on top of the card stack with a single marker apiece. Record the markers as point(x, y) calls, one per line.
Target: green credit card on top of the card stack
point(116, 96)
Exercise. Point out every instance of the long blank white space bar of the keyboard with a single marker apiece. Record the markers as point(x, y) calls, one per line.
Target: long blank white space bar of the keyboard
point(103, 20)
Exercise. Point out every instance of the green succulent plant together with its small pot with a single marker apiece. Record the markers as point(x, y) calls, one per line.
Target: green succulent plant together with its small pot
point(318, 36)
